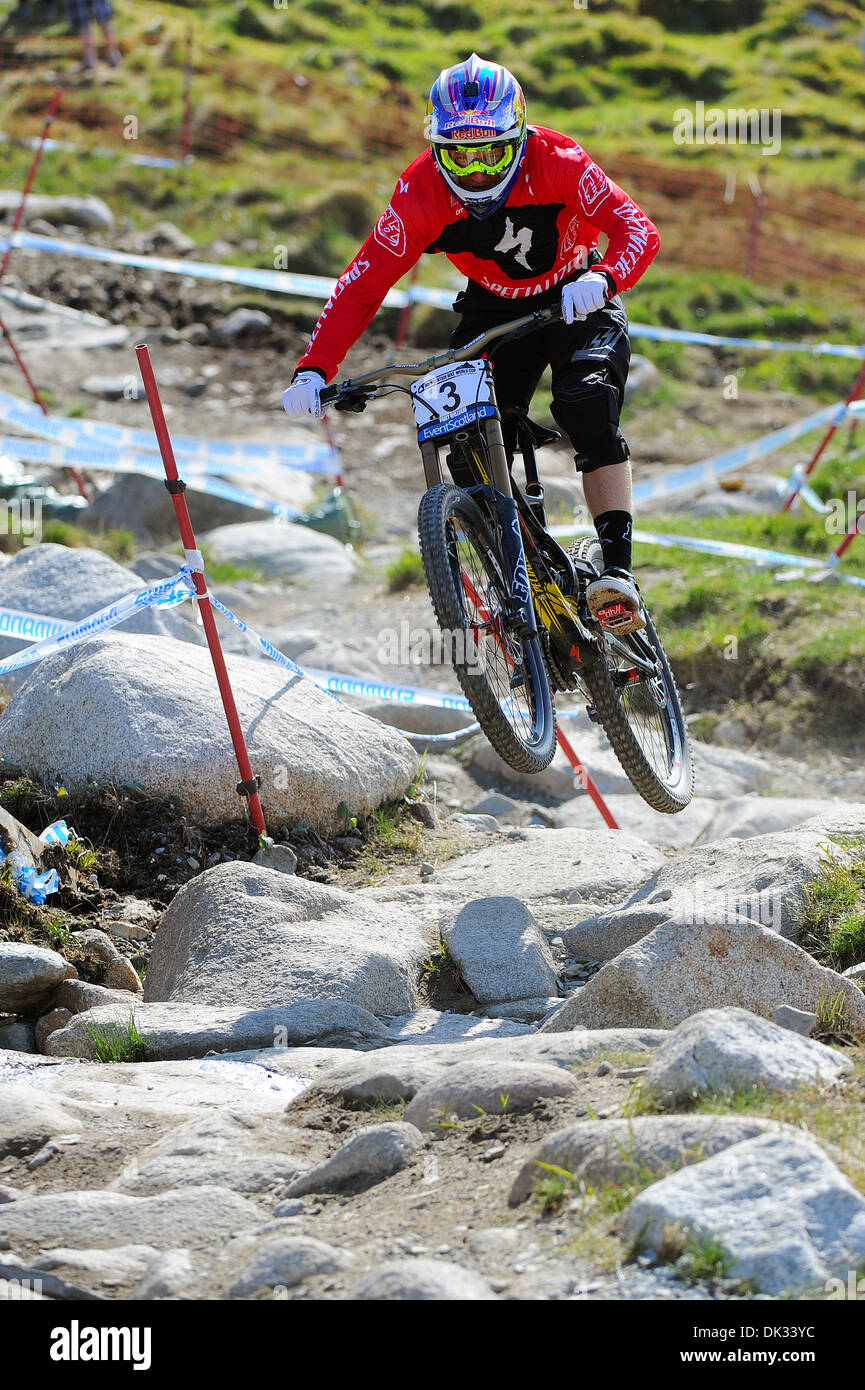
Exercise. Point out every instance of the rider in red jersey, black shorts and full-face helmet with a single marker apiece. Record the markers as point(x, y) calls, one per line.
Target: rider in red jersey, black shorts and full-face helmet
point(518, 209)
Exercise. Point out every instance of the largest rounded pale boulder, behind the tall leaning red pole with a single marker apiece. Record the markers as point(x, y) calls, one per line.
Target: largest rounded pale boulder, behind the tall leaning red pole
point(312, 753)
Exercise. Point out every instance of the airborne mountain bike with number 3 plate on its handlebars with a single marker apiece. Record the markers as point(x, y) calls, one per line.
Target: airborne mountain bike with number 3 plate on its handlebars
point(510, 600)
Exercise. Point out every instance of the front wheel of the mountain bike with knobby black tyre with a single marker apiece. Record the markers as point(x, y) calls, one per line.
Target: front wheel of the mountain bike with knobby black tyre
point(504, 679)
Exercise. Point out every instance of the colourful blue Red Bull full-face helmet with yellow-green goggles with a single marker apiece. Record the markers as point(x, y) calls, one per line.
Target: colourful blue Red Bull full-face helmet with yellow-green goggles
point(476, 127)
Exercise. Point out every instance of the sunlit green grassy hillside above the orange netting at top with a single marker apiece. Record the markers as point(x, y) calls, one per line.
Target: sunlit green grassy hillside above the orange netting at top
point(614, 72)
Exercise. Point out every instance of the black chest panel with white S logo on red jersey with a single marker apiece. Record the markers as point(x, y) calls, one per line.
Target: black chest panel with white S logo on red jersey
point(522, 241)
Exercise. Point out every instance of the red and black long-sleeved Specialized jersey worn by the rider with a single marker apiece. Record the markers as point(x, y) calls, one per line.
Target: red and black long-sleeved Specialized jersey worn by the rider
point(558, 205)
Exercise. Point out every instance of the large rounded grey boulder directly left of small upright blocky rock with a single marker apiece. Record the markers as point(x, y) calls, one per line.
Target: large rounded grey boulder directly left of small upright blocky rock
point(300, 942)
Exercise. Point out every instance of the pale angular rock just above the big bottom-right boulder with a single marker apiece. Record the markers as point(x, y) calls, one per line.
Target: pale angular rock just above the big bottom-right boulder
point(732, 1050)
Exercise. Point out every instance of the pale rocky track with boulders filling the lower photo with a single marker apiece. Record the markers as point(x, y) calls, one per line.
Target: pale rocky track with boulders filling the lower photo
point(448, 1036)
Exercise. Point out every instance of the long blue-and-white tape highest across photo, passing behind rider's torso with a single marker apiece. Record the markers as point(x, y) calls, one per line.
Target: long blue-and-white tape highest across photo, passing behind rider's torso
point(319, 287)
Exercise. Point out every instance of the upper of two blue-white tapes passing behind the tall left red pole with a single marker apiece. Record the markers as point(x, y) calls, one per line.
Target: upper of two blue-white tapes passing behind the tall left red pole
point(216, 455)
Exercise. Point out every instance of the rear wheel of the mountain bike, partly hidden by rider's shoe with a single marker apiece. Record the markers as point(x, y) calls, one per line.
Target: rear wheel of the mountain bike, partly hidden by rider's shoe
point(640, 715)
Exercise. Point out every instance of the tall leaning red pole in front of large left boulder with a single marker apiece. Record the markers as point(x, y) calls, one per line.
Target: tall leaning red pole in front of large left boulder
point(248, 786)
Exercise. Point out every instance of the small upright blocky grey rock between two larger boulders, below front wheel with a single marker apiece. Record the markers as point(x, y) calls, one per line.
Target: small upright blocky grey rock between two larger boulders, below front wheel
point(500, 950)
